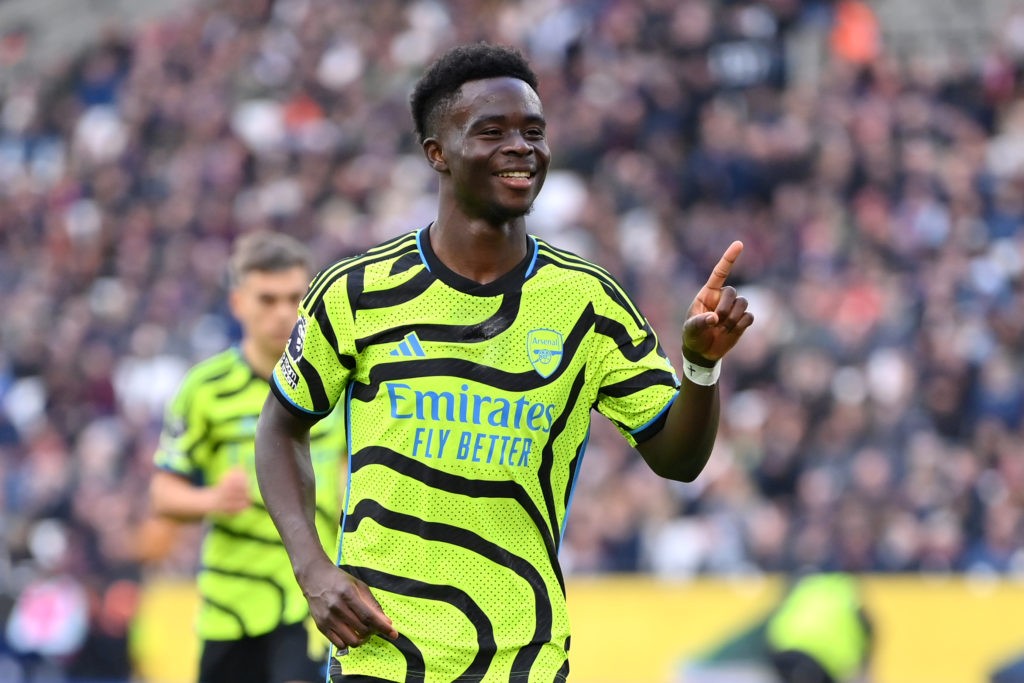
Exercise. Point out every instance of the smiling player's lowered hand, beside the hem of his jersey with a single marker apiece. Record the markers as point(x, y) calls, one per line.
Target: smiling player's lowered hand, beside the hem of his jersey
point(344, 608)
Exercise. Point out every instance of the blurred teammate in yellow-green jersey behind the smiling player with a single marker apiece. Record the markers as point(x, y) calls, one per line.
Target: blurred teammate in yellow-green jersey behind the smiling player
point(252, 616)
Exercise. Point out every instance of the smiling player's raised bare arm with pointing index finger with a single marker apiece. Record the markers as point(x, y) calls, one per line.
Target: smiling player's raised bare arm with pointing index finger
point(714, 324)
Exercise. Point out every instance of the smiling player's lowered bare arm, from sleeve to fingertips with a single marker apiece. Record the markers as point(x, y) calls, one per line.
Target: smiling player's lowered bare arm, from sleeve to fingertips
point(342, 606)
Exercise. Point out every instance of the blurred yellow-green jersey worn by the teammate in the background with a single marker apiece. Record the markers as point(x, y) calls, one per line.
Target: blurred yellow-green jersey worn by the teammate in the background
point(245, 581)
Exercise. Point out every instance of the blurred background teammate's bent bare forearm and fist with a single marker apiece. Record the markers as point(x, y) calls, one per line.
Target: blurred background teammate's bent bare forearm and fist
point(176, 497)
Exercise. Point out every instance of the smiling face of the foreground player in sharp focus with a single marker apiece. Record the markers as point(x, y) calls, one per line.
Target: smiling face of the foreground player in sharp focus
point(495, 145)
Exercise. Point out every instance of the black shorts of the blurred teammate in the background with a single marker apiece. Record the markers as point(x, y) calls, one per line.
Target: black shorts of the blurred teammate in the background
point(274, 658)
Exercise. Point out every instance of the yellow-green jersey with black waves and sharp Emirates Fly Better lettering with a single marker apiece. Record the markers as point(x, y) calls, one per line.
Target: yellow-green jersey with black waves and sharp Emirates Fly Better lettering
point(470, 408)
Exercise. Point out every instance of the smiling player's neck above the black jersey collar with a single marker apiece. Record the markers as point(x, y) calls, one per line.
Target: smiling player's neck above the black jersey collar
point(479, 250)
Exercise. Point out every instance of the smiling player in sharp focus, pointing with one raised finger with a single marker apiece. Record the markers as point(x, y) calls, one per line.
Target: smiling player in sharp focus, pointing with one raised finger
point(468, 356)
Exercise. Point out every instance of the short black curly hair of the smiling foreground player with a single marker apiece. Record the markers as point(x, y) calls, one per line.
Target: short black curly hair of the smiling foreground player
point(445, 77)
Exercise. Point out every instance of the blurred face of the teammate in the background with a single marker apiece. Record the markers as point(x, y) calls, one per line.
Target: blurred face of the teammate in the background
point(267, 304)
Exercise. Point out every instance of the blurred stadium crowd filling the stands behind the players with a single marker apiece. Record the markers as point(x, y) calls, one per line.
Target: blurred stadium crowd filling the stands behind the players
point(874, 416)
